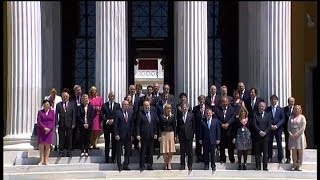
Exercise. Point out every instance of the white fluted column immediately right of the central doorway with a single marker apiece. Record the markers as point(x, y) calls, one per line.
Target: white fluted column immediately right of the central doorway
point(191, 49)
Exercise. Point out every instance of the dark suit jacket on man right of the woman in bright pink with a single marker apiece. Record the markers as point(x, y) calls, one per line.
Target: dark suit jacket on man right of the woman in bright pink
point(107, 113)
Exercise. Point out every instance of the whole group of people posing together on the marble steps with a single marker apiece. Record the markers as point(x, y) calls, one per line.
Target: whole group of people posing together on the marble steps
point(147, 121)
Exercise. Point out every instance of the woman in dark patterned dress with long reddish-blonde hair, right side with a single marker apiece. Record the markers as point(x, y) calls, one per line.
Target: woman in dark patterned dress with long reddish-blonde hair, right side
point(243, 137)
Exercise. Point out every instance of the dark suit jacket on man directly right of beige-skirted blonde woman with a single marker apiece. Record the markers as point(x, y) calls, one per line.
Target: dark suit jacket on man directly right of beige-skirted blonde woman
point(186, 131)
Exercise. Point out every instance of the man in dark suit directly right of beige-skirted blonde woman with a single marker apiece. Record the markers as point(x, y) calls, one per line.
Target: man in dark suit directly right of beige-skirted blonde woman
point(185, 131)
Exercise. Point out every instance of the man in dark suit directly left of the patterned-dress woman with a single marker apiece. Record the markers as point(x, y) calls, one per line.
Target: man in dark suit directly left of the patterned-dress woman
point(225, 113)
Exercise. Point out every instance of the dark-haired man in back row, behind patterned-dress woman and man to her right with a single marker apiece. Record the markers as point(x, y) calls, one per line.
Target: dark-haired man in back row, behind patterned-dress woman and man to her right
point(252, 105)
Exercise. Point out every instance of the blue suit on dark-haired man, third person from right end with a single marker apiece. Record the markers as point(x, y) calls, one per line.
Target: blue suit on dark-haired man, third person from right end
point(278, 119)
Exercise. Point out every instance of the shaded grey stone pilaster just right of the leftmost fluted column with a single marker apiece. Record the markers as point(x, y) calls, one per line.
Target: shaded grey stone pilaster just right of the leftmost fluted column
point(51, 43)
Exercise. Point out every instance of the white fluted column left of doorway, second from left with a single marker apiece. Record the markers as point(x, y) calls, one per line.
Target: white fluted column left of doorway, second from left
point(111, 49)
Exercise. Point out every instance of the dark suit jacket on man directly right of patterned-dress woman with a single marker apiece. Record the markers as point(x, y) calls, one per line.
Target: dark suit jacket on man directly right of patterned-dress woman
point(262, 124)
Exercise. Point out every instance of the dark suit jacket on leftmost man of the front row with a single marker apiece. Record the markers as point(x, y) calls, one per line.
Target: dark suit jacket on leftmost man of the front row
point(121, 127)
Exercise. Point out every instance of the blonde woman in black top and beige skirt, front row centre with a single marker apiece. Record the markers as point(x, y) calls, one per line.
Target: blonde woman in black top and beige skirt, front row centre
point(167, 139)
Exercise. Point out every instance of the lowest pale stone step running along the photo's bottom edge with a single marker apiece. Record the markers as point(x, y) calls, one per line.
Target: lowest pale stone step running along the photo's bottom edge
point(159, 174)
